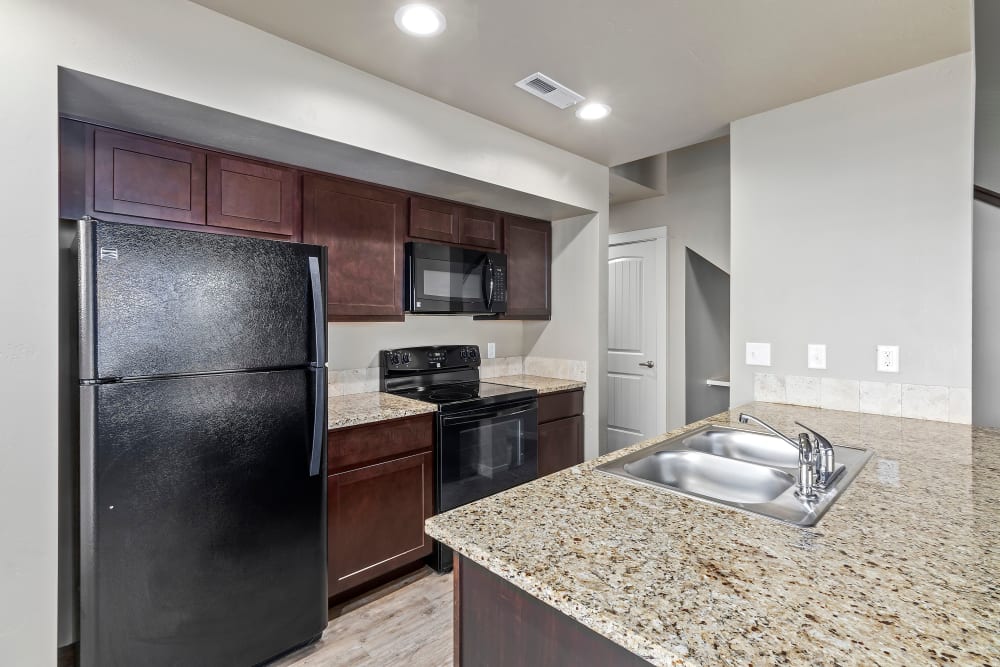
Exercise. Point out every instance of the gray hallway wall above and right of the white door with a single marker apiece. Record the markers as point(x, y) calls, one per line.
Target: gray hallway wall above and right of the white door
point(695, 211)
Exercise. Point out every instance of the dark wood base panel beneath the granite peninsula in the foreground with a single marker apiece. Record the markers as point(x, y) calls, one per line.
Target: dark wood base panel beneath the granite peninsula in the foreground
point(499, 625)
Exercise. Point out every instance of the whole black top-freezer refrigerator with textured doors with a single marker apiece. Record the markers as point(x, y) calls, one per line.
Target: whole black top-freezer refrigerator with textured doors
point(202, 446)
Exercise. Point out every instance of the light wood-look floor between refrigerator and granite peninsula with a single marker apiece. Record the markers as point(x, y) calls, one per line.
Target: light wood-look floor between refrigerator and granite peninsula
point(408, 622)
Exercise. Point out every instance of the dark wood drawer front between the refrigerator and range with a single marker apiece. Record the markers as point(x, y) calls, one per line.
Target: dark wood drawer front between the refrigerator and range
point(372, 442)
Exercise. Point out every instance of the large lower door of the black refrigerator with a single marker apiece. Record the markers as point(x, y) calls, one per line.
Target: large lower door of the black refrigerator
point(203, 534)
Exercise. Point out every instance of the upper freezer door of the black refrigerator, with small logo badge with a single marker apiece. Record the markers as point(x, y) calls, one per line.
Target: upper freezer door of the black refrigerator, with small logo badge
point(167, 302)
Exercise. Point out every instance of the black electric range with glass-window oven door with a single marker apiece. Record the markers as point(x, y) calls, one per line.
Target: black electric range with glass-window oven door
point(486, 433)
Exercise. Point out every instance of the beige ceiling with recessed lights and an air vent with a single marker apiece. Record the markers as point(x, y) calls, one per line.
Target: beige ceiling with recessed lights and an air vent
point(675, 72)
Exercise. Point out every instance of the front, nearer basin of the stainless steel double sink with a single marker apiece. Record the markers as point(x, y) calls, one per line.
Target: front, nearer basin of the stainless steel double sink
point(713, 477)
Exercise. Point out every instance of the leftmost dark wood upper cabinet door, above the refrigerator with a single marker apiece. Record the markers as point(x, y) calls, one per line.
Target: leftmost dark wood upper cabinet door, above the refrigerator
point(148, 178)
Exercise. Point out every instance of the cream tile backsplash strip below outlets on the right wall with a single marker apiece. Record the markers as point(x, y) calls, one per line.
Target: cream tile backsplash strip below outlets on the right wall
point(917, 401)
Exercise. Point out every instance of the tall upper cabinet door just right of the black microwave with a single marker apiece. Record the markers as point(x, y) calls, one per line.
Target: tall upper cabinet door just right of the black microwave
point(529, 268)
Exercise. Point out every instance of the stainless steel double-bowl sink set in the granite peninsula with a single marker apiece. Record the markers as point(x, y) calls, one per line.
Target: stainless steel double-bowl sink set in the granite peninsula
point(745, 470)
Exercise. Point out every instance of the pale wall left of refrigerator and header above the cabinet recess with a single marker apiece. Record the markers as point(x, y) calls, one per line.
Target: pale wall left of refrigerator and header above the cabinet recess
point(183, 50)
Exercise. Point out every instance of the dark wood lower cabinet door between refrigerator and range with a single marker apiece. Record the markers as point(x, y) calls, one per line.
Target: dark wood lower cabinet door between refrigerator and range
point(375, 519)
